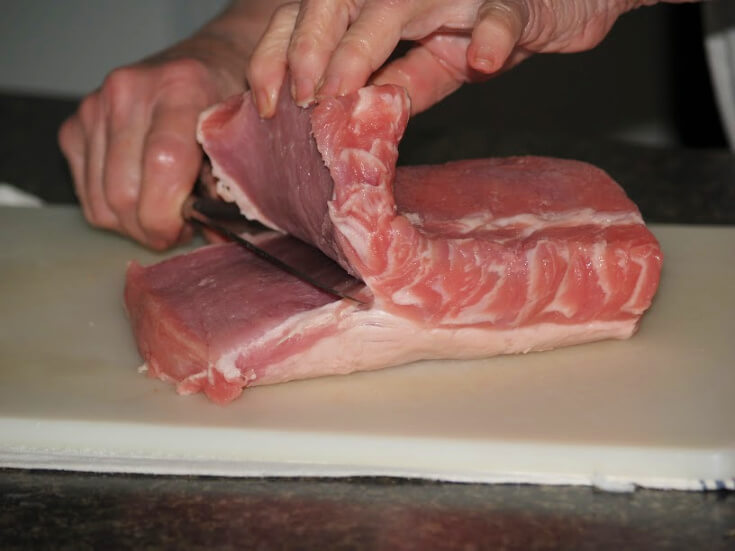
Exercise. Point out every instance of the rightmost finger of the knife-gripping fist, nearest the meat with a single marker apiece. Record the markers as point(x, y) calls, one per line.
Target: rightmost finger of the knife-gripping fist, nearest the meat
point(171, 163)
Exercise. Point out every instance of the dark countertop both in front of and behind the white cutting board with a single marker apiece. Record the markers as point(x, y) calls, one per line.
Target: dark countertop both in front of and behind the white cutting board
point(61, 510)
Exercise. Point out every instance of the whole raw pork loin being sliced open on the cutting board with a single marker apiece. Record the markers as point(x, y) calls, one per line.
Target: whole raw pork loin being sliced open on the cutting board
point(462, 260)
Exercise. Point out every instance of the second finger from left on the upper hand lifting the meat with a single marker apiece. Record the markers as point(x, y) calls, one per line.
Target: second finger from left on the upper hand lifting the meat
point(319, 28)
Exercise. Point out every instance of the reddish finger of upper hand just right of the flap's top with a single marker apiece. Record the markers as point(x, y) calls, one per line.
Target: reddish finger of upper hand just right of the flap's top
point(426, 79)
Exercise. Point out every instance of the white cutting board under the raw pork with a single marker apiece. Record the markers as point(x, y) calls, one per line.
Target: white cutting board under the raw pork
point(657, 410)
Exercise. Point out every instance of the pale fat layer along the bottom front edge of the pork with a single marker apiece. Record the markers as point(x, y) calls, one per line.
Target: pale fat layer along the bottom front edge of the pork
point(350, 339)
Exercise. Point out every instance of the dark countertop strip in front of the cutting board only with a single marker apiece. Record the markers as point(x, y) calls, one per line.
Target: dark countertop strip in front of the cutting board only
point(91, 511)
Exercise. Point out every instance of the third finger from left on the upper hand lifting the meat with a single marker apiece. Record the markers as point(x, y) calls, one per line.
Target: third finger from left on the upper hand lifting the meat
point(365, 47)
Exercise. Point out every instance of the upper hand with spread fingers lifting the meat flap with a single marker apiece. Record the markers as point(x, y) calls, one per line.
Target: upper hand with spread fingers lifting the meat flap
point(332, 47)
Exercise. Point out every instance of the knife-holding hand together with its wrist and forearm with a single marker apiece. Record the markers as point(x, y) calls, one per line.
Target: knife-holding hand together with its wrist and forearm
point(131, 146)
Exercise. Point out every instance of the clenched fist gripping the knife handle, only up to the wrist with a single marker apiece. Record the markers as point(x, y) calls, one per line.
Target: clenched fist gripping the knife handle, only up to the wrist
point(131, 147)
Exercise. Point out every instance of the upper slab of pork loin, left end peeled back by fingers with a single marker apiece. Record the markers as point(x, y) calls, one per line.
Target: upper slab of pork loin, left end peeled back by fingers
point(504, 242)
